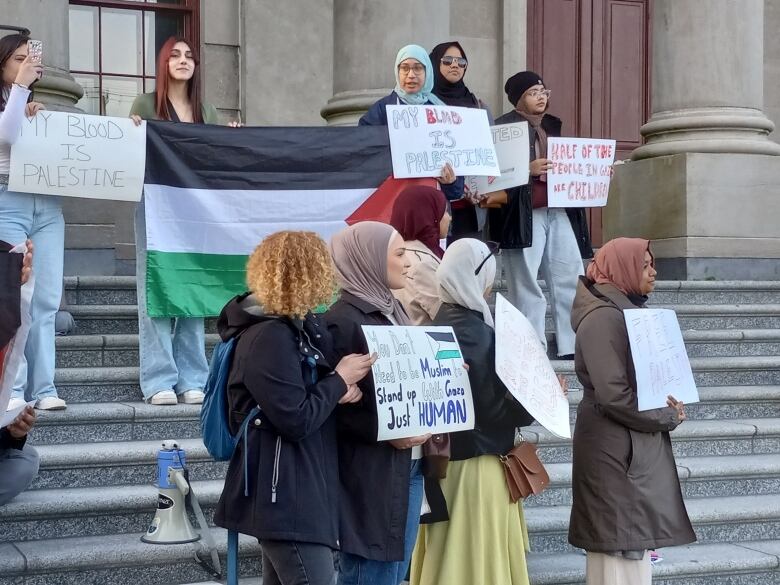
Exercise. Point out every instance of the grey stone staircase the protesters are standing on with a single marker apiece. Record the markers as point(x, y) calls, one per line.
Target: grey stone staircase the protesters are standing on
point(82, 520)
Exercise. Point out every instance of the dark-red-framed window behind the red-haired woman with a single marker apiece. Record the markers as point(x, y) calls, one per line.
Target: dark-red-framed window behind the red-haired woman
point(114, 45)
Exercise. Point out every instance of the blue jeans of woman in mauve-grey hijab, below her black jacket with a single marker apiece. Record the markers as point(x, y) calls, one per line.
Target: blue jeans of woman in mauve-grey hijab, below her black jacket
point(355, 570)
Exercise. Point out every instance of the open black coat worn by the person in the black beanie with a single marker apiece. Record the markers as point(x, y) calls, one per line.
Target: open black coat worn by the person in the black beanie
point(512, 224)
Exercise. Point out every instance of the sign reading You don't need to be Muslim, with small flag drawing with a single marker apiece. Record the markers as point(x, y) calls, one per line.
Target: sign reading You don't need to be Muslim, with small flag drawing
point(420, 383)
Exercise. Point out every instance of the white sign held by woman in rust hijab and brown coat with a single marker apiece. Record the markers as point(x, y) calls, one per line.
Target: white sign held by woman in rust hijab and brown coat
point(660, 360)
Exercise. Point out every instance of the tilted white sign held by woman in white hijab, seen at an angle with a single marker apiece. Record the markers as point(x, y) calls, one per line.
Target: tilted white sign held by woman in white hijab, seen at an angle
point(523, 367)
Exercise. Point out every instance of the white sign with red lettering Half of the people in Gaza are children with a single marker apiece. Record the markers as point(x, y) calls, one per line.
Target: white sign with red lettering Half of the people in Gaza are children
point(580, 173)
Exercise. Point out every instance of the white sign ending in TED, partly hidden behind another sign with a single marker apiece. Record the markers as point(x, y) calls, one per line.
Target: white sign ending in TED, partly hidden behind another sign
point(513, 151)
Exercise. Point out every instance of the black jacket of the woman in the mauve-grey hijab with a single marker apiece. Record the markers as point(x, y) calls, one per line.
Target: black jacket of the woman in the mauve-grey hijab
point(374, 476)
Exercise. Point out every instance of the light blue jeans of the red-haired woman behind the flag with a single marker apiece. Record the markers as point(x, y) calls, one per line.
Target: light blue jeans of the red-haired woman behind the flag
point(169, 359)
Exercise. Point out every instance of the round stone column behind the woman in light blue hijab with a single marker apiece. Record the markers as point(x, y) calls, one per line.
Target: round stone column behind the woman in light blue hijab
point(367, 36)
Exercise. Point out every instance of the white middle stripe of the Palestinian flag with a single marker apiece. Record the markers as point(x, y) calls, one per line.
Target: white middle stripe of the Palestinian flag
point(234, 221)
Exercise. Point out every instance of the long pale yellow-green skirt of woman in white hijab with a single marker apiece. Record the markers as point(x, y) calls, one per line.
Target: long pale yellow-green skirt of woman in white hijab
point(485, 540)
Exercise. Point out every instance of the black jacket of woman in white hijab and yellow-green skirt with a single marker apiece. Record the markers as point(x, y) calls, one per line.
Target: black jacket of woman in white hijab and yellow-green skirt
point(497, 413)
